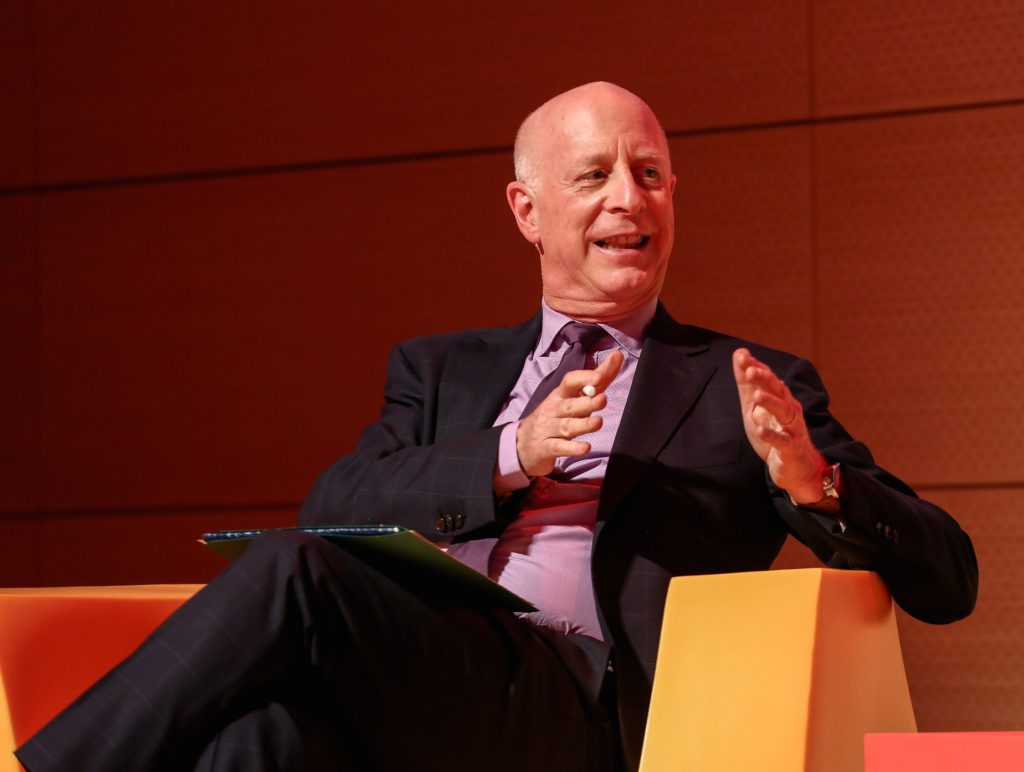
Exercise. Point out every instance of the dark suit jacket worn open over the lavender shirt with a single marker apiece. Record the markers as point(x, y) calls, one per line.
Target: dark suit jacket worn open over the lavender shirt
point(685, 492)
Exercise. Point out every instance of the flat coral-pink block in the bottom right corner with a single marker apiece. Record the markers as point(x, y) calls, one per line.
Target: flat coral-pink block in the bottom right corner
point(945, 752)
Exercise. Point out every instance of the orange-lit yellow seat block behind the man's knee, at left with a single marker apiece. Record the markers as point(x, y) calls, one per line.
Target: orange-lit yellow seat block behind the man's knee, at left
point(55, 642)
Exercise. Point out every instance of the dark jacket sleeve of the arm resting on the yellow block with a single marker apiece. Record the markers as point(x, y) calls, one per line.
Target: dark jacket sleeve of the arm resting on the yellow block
point(921, 552)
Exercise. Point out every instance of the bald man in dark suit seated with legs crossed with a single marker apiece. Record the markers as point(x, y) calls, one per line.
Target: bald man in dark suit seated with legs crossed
point(582, 460)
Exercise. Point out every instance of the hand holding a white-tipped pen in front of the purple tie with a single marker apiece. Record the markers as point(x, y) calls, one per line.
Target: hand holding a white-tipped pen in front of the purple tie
point(549, 433)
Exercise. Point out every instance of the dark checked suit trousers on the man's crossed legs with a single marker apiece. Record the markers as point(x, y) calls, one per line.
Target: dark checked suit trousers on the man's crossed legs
point(301, 657)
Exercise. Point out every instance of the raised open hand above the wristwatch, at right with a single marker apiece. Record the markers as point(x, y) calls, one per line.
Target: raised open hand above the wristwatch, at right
point(774, 420)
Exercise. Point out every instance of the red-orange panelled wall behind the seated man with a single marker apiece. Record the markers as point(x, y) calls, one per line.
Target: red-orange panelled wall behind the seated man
point(217, 219)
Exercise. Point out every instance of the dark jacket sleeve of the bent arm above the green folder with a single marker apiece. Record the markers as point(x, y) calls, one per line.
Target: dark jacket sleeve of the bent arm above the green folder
point(400, 474)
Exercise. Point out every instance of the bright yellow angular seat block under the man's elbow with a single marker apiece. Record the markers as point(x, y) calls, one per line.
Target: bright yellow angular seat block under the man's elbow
point(776, 672)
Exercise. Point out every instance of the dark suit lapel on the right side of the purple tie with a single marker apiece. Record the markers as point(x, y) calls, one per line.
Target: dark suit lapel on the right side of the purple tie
point(670, 378)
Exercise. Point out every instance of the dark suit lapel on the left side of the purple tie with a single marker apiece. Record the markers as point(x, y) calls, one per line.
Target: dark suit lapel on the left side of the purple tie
point(480, 376)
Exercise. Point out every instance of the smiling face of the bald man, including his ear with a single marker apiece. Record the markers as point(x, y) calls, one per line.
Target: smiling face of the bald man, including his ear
point(600, 207)
